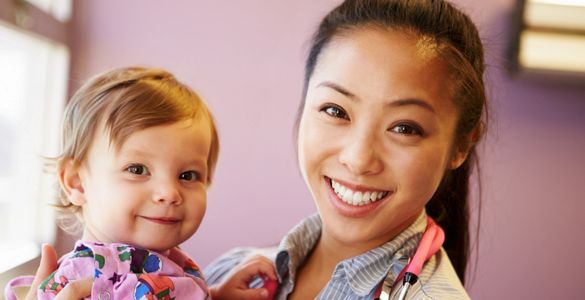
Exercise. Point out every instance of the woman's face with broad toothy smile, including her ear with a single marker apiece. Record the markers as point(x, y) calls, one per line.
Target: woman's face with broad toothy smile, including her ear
point(376, 134)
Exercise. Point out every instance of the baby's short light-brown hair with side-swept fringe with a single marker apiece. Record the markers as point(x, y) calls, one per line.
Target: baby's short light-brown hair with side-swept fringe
point(123, 101)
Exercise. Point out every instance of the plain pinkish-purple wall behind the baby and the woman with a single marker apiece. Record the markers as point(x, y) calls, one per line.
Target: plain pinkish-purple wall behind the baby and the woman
point(246, 58)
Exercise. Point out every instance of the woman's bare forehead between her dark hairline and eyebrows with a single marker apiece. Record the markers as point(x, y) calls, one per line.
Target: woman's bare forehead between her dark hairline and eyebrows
point(383, 63)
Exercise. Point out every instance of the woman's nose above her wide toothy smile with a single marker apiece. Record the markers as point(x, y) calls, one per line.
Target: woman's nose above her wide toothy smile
point(359, 153)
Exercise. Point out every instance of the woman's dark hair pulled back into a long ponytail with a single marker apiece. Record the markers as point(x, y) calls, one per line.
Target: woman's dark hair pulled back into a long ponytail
point(457, 42)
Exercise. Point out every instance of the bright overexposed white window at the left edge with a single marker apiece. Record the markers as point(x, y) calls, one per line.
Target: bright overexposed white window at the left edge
point(33, 80)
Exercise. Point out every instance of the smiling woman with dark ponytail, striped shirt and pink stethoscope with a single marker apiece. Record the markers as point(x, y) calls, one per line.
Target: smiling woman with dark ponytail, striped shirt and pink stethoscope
point(392, 110)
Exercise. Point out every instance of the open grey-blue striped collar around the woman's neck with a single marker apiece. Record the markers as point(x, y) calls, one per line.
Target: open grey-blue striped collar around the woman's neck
point(363, 273)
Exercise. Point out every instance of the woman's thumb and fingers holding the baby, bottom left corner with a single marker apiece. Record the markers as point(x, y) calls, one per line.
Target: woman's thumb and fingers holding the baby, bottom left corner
point(74, 290)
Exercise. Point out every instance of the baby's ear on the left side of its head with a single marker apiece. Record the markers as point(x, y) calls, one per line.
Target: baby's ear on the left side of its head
point(70, 181)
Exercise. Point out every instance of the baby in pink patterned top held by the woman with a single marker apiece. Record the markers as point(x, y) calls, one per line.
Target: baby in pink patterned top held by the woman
point(138, 153)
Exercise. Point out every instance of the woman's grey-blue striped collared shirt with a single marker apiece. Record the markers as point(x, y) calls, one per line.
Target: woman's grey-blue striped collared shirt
point(357, 277)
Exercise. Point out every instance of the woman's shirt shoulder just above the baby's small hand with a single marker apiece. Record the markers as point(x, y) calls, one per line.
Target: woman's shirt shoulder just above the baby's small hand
point(221, 266)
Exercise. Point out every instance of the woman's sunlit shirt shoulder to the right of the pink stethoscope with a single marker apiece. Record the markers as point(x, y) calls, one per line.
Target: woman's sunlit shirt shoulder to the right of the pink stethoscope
point(438, 280)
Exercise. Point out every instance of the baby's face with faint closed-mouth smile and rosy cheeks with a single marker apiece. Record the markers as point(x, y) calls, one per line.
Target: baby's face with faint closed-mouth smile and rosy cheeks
point(151, 193)
